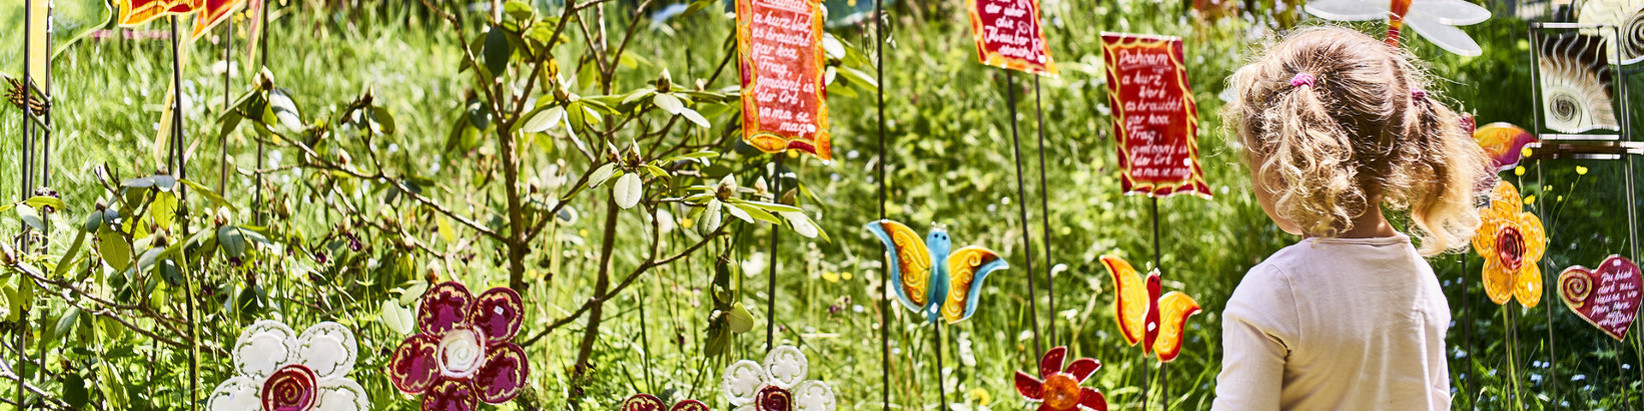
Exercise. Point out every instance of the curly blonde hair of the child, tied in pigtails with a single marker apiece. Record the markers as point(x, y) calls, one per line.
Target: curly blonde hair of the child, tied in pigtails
point(1355, 132)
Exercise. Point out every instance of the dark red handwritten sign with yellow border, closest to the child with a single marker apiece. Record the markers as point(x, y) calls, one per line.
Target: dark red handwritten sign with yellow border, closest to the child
point(1155, 116)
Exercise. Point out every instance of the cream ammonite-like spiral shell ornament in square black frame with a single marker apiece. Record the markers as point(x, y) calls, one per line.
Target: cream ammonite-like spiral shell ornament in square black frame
point(1576, 83)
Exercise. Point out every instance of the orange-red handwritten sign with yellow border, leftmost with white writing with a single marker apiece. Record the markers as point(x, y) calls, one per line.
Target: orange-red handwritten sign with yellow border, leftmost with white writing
point(783, 93)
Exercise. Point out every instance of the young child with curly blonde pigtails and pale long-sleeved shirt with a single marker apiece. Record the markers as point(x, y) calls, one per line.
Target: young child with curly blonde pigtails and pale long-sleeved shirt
point(1336, 129)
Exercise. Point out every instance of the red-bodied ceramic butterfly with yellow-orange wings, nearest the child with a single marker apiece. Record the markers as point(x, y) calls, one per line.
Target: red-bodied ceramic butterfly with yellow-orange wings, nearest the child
point(1145, 316)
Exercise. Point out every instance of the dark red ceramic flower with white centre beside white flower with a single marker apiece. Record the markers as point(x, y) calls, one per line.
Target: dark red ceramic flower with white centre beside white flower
point(464, 351)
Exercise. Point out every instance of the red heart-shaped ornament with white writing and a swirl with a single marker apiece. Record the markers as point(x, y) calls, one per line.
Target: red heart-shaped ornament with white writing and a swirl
point(1609, 297)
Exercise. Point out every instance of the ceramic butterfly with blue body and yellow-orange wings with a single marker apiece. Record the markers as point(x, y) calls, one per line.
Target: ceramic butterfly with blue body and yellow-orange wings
point(931, 279)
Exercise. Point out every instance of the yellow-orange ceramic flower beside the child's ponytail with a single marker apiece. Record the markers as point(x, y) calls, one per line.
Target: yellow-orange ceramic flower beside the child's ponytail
point(1512, 242)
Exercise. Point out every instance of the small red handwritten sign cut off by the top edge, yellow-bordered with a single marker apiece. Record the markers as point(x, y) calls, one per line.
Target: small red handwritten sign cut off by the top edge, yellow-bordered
point(1009, 35)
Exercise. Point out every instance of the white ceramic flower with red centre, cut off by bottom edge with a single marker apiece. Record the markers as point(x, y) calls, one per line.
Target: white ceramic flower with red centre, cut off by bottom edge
point(777, 386)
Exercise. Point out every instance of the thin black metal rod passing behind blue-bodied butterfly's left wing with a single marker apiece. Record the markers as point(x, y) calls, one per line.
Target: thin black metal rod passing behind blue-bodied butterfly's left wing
point(879, 170)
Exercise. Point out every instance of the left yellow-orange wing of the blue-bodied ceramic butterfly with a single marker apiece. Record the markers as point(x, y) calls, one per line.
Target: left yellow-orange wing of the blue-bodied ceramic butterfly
point(910, 262)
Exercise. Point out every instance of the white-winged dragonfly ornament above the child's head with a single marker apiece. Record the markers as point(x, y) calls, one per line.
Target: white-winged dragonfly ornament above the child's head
point(1436, 21)
